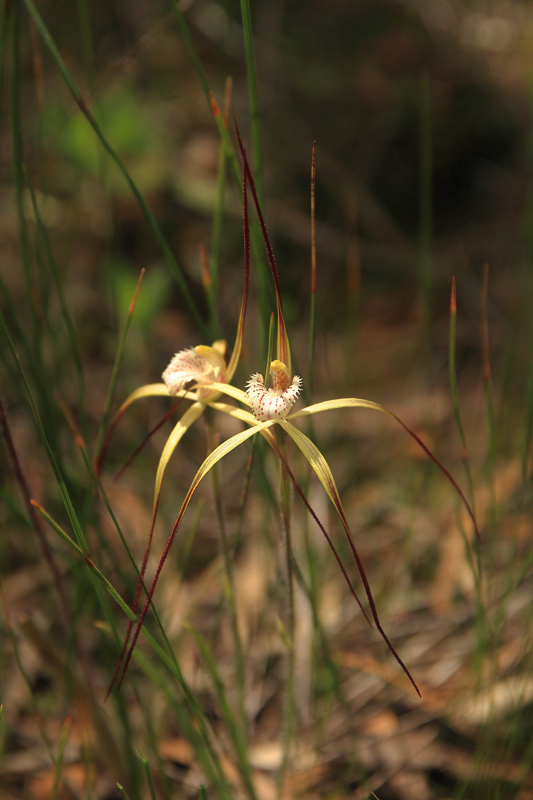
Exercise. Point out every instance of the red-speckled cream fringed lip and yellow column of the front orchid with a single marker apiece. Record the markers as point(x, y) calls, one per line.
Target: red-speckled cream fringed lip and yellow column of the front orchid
point(274, 403)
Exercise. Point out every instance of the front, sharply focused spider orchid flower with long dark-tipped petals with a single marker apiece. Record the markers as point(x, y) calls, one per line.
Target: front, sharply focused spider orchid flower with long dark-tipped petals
point(262, 409)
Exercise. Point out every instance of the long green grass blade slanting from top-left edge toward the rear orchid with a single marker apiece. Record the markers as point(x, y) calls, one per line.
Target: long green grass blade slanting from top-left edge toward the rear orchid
point(150, 218)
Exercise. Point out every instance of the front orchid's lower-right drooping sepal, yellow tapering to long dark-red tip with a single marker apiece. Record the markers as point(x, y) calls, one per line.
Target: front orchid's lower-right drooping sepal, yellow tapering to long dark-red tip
point(325, 476)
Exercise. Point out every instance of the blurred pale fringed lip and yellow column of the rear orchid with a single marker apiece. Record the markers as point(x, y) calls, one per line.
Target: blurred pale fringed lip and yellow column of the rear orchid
point(196, 365)
